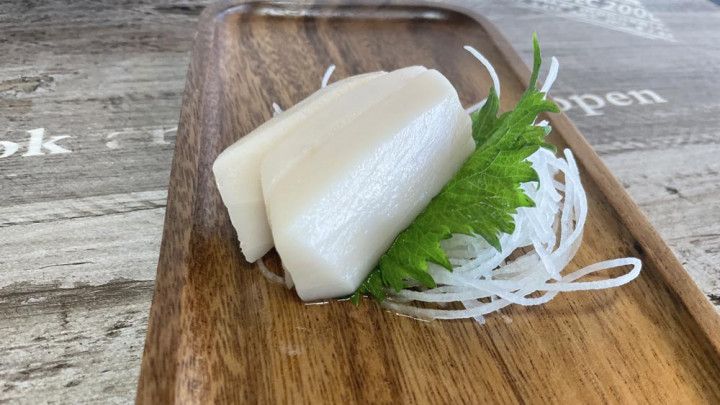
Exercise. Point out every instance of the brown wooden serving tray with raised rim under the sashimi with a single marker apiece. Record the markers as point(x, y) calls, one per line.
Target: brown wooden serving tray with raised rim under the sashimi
point(219, 332)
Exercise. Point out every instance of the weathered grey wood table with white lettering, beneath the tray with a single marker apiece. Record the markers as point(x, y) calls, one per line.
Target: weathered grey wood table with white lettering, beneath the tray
point(89, 101)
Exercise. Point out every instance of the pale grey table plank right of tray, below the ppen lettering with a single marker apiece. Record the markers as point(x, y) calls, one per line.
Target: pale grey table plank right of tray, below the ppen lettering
point(678, 188)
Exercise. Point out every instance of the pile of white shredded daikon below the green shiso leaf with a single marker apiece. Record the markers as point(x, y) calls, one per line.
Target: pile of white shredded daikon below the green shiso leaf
point(480, 272)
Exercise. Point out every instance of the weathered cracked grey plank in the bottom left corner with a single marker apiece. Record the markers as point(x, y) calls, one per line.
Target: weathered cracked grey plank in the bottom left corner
point(79, 345)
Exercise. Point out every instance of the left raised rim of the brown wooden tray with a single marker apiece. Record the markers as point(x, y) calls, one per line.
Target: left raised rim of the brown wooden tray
point(163, 341)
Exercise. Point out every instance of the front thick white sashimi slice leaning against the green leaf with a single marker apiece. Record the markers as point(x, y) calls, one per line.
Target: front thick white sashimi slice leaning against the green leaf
point(339, 208)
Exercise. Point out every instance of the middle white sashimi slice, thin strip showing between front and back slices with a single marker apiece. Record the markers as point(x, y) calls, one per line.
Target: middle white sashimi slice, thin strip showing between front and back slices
point(304, 139)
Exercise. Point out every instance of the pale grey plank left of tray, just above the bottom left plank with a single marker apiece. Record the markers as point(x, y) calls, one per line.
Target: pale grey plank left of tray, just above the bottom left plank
point(93, 250)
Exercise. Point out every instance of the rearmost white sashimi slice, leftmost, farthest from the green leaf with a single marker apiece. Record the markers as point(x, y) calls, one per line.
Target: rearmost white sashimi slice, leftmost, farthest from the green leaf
point(237, 168)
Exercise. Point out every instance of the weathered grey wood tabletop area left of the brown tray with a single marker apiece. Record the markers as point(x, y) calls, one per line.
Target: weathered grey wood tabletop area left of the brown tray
point(106, 74)
